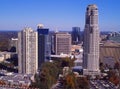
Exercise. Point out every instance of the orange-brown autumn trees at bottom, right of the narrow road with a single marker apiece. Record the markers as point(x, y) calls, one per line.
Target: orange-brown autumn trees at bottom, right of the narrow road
point(73, 82)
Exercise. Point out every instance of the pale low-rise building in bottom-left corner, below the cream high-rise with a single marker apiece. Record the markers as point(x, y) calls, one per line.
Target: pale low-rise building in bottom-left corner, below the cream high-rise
point(18, 80)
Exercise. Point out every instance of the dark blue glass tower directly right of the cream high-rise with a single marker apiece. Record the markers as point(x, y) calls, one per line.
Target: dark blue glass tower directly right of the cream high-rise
point(44, 45)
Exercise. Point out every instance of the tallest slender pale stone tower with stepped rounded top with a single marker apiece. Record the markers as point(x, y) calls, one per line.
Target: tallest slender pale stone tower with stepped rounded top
point(91, 41)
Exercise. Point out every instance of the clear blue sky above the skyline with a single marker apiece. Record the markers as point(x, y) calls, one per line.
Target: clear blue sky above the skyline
point(57, 14)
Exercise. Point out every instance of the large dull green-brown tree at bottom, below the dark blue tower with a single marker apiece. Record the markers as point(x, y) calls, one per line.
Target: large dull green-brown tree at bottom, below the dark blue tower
point(47, 76)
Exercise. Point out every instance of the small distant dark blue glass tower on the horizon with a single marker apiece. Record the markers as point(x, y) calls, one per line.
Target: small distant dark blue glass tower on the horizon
point(76, 35)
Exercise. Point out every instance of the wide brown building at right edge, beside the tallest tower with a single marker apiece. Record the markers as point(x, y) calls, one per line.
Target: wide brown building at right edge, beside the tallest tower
point(109, 53)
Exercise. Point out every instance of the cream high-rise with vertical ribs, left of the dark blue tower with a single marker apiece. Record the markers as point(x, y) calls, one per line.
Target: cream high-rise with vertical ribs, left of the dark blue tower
point(27, 51)
